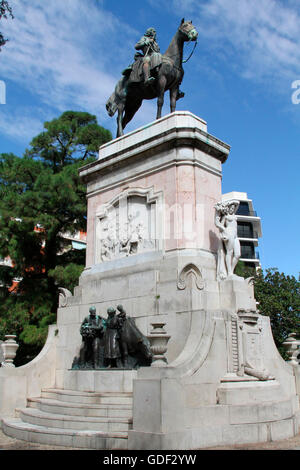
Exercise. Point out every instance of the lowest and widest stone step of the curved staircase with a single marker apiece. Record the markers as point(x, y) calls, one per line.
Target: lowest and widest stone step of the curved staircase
point(16, 428)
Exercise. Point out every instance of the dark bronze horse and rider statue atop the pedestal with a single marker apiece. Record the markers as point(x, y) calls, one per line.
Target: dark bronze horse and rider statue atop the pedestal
point(150, 75)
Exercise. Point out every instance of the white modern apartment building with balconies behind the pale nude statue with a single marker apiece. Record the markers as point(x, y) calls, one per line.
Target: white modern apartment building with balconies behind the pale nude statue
point(249, 228)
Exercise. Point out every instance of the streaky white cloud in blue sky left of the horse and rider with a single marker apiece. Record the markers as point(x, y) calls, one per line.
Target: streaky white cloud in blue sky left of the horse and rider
point(68, 54)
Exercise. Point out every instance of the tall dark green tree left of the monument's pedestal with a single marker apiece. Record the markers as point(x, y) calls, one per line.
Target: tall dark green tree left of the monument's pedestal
point(41, 199)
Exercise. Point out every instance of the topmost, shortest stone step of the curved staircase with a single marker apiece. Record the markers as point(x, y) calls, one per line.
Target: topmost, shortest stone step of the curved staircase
point(75, 396)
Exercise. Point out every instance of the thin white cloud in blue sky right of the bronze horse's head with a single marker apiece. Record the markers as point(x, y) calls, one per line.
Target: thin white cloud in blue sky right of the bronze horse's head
point(261, 38)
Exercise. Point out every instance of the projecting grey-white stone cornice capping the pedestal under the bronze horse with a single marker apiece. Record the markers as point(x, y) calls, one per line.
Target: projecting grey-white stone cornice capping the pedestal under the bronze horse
point(179, 129)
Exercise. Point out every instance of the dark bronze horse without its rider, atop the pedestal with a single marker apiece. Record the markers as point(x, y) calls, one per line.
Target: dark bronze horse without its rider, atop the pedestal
point(128, 96)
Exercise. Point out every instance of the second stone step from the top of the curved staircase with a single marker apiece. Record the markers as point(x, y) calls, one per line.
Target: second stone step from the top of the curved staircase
point(49, 405)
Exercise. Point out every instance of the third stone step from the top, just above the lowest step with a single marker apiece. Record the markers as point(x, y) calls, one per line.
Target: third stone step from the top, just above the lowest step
point(82, 423)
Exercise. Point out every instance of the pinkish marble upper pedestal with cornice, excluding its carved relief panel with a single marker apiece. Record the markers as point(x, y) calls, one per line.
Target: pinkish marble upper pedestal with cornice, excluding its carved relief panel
point(177, 160)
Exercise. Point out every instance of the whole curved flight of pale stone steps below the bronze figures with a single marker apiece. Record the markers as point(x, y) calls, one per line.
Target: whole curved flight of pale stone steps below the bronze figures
point(88, 420)
